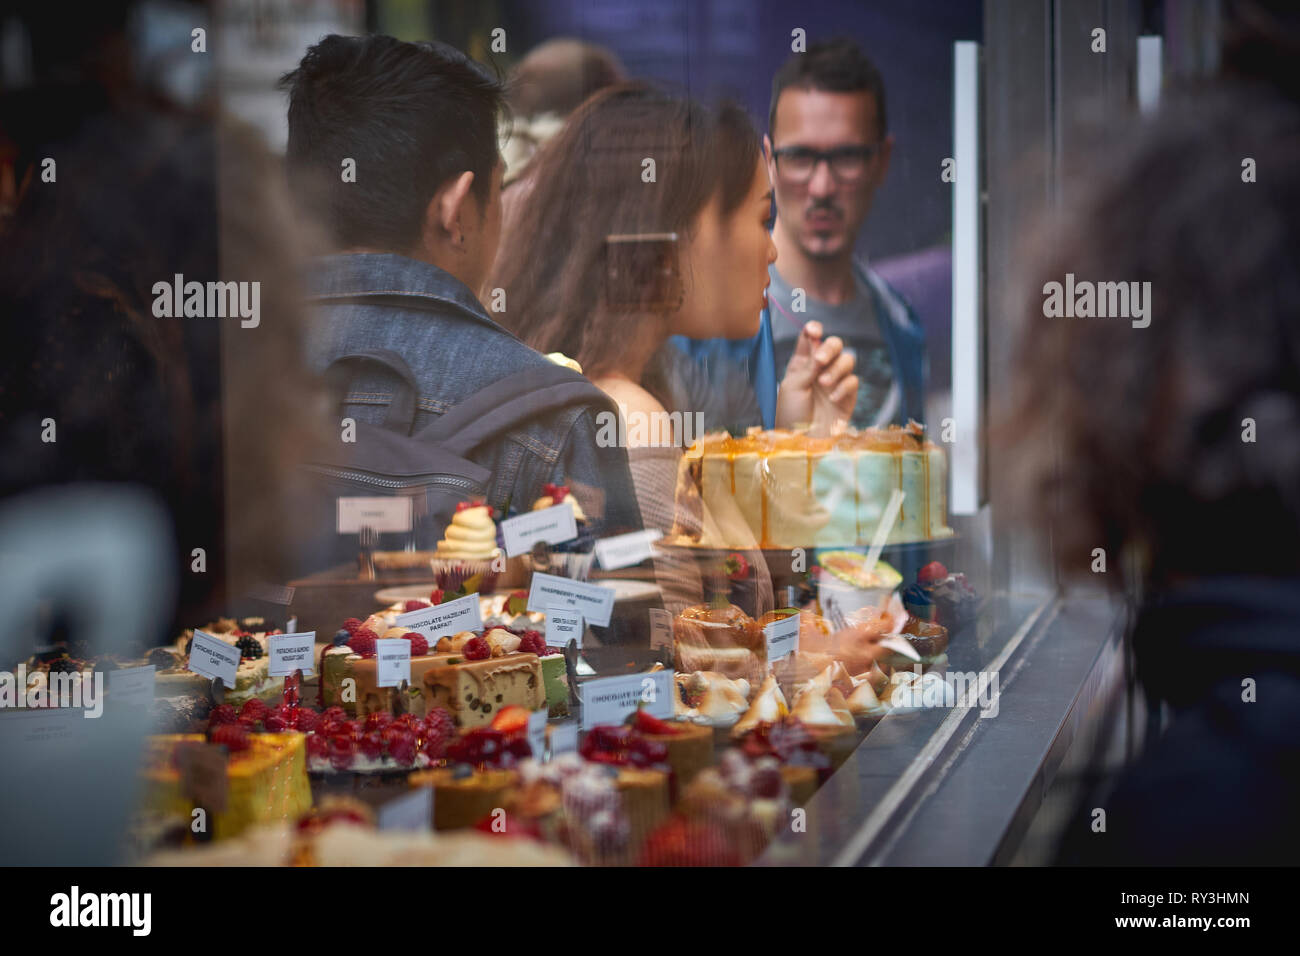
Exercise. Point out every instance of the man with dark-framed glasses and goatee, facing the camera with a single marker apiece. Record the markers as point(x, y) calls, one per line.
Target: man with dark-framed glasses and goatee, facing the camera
point(829, 152)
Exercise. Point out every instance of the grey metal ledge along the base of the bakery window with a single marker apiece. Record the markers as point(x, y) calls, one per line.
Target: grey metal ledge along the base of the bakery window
point(944, 786)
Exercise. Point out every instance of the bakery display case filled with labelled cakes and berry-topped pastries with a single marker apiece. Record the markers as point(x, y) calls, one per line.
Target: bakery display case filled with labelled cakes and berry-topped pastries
point(843, 651)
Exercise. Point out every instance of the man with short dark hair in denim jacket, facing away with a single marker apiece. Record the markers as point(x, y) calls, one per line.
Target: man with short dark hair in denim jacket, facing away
point(396, 144)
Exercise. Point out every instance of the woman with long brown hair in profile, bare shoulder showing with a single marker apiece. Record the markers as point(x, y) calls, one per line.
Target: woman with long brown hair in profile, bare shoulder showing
point(648, 218)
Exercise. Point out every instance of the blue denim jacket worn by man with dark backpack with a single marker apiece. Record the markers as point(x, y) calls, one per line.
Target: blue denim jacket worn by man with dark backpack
point(434, 321)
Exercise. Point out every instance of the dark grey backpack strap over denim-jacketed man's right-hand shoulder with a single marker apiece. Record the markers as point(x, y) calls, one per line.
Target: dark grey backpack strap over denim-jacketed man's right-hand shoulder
point(509, 404)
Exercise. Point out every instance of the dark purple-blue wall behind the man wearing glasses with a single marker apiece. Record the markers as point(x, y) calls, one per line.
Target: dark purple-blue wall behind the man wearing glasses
point(714, 49)
